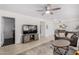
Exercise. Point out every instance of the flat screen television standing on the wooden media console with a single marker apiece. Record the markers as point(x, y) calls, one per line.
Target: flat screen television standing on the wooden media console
point(27, 29)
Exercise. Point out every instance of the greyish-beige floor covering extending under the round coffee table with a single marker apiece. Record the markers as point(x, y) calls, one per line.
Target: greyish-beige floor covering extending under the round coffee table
point(44, 50)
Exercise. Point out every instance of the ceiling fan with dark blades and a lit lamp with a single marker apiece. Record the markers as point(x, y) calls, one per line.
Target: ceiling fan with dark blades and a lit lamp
point(48, 9)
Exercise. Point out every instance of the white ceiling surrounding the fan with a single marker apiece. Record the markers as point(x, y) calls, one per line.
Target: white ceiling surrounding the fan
point(67, 10)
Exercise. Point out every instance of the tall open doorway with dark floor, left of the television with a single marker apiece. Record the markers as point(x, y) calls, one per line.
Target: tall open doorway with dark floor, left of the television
point(8, 24)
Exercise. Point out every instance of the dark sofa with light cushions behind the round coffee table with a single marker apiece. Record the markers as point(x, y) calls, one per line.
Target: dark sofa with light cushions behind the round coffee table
point(67, 35)
